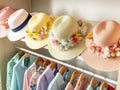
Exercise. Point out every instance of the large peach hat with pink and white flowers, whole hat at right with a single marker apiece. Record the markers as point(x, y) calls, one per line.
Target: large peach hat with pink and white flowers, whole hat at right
point(103, 46)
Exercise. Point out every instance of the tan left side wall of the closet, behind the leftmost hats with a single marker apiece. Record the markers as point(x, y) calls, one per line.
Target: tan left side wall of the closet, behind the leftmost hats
point(7, 49)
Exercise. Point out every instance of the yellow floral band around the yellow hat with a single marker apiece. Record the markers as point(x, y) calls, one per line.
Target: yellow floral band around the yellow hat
point(43, 32)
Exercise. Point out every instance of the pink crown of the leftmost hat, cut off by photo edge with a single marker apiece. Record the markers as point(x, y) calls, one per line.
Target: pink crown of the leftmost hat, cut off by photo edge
point(5, 13)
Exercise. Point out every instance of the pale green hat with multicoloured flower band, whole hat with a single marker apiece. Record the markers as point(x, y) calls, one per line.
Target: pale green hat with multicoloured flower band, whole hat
point(65, 40)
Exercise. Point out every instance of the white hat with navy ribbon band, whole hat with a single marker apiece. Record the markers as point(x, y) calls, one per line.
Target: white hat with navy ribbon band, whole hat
point(18, 24)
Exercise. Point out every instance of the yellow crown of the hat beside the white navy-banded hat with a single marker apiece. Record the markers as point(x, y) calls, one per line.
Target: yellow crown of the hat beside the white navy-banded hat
point(38, 21)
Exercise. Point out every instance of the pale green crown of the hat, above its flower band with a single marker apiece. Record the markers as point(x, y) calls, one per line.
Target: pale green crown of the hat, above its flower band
point(64, 26)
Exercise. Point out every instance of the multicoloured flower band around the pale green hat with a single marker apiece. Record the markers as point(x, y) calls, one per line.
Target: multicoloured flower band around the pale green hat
point(65, 44)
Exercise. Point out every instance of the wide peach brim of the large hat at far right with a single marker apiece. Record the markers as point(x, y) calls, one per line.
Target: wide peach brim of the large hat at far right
point(99, 63)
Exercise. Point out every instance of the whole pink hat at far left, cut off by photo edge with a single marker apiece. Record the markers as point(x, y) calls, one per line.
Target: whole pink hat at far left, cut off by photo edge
point(4, 15)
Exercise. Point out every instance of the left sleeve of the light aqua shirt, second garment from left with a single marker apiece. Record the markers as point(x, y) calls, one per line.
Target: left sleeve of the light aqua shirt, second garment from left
point(14, 83)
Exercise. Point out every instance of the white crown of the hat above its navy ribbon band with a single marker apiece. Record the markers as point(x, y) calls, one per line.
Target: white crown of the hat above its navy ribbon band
point(17, 18)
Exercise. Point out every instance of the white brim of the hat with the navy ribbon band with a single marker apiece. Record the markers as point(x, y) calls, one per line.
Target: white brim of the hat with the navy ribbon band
point(14, 36)
